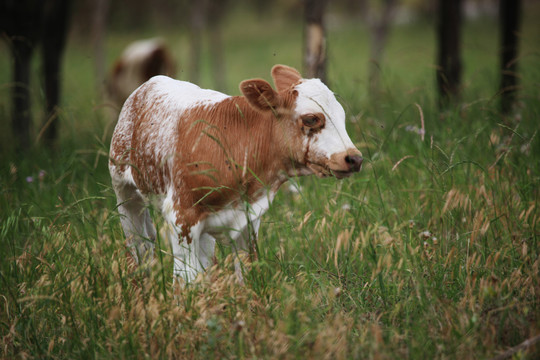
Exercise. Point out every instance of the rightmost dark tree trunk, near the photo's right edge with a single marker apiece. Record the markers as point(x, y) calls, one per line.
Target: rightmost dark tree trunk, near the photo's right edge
point(509, 15)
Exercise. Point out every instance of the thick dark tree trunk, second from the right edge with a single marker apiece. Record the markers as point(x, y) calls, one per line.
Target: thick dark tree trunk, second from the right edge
point(449, 51)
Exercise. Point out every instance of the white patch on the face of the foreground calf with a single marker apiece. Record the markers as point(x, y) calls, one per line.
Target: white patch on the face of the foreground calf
point(315, 97)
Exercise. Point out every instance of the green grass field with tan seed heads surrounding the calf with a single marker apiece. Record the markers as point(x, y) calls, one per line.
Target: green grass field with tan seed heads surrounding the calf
point(430, 252)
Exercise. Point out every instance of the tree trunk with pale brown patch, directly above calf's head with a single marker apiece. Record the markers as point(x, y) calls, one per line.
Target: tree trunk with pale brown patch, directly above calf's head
point(315, 39)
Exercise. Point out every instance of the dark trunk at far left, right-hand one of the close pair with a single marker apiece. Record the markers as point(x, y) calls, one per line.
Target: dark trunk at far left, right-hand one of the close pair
point(53, 43)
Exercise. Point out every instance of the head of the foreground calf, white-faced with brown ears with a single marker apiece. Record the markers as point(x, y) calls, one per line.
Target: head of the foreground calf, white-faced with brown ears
point(311, 122)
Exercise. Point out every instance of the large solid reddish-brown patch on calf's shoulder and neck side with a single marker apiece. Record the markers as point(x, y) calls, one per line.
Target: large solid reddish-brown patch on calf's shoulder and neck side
point(224, 149)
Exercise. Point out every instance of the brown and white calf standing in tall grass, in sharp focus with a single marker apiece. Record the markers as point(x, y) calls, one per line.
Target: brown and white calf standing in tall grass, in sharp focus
point(212, 163)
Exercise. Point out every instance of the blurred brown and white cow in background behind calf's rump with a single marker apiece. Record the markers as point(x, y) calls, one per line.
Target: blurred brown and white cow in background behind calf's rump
point(140, 61)
